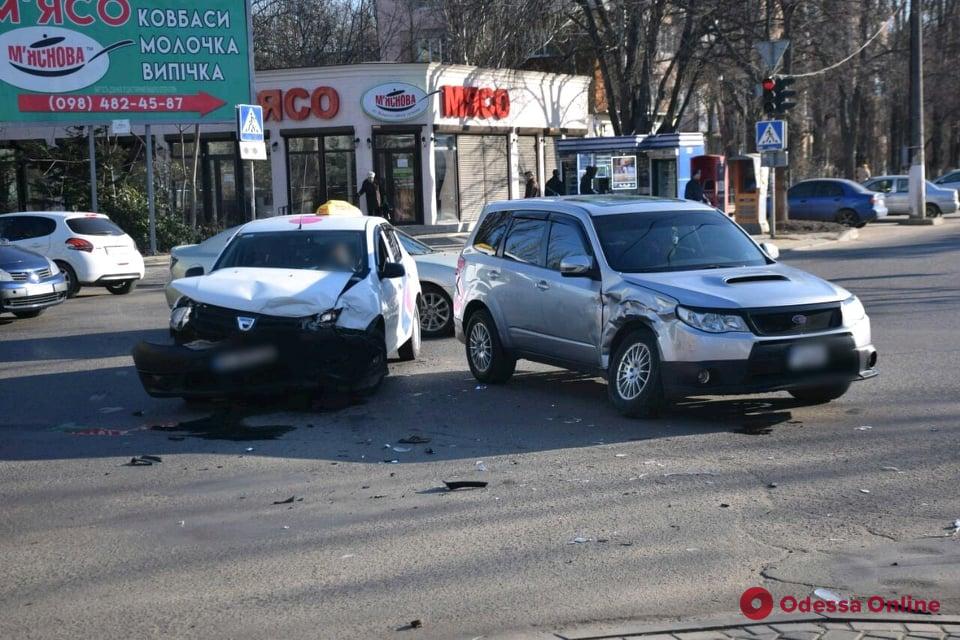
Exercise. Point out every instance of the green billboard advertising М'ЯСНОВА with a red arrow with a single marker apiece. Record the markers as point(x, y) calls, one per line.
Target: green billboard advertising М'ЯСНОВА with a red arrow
point(149, 61)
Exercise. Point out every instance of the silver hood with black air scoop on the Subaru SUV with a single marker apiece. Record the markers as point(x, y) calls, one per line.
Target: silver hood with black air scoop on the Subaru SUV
point(713, 287)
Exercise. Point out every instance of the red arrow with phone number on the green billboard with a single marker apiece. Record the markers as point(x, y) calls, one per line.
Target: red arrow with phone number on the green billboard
point(200, 102)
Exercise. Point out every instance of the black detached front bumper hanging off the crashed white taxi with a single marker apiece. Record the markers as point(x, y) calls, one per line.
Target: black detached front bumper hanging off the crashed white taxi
point(346, 359)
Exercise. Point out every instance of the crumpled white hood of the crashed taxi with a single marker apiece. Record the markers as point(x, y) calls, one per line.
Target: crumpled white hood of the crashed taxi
point(291, 293)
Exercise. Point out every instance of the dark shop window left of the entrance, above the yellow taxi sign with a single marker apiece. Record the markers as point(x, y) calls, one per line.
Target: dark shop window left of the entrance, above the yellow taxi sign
point(320, 168)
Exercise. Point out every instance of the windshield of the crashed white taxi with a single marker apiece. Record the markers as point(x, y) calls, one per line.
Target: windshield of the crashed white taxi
point(314, 250)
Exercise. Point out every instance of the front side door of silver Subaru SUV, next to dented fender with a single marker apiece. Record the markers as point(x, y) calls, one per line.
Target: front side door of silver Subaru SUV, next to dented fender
point(571, 306)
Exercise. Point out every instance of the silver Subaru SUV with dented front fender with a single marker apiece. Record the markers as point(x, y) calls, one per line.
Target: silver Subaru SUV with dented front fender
point(665, 298)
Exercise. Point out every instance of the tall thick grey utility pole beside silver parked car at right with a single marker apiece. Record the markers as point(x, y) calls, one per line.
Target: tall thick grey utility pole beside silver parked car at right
point(918, 182)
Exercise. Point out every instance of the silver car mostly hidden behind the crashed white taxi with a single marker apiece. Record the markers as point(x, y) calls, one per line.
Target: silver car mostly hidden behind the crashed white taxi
point(436, 269)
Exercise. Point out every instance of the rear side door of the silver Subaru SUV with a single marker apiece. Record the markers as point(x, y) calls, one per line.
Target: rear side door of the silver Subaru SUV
point(521, 276)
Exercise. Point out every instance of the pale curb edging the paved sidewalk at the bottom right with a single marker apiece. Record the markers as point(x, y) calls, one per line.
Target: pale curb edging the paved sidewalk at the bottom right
point(604, 631)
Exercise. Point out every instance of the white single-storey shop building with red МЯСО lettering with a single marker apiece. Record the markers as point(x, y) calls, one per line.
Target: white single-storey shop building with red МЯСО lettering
point(443, 140)
